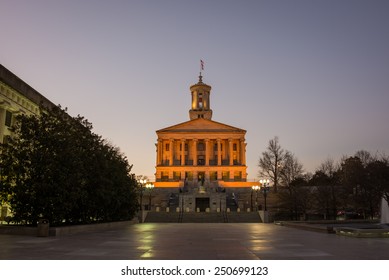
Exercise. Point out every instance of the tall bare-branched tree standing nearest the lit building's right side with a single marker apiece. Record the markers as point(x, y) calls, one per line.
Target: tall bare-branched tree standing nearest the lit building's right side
point(271, 162)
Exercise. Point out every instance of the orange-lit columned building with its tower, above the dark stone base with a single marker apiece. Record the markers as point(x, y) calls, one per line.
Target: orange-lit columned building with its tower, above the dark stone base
point(201, 152)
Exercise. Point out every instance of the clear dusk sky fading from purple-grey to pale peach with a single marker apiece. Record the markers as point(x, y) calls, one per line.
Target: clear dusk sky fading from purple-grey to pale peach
point(313, 73)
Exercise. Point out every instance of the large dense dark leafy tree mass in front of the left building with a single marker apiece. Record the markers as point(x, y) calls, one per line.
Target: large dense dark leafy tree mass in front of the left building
point(55, 167)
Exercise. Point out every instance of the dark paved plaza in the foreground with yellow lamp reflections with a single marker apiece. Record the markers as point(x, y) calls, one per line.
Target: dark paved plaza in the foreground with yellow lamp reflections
point(195, 241)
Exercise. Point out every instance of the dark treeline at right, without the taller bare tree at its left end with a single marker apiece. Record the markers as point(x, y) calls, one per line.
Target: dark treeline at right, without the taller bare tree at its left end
point(351, 189)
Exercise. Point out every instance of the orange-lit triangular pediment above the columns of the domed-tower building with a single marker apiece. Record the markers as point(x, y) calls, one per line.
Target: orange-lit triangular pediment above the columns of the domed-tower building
point(200, 125)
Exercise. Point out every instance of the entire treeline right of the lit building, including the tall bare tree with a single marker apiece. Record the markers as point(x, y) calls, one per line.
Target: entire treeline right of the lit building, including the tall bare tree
point(352, 188)
